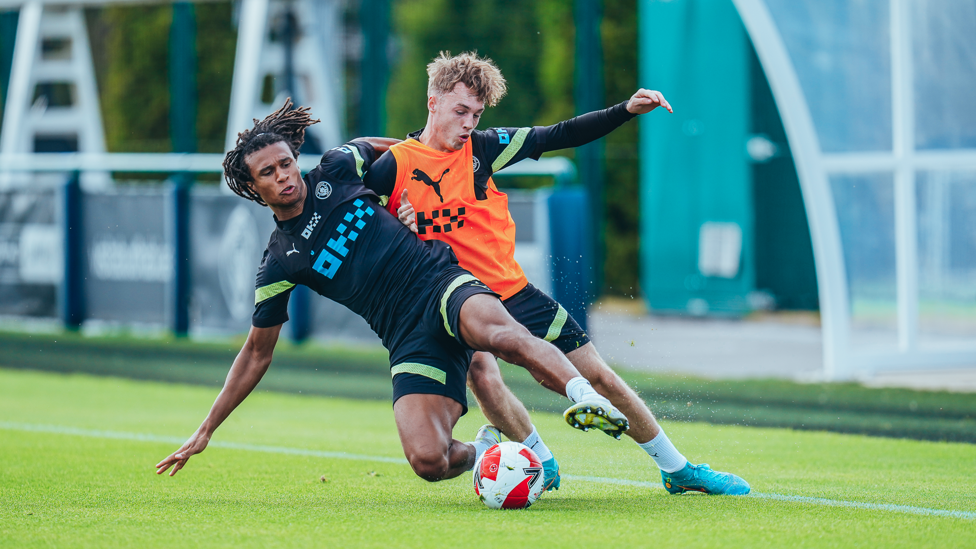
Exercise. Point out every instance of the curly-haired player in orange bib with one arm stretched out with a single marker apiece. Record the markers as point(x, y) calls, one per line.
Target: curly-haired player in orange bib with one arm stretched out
point(439, 183)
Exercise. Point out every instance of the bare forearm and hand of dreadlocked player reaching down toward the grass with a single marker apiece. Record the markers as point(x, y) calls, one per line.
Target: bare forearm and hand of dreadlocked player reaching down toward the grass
point(248, 369)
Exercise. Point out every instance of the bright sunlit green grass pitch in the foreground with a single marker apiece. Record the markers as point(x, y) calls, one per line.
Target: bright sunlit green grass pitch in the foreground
point(77, 456)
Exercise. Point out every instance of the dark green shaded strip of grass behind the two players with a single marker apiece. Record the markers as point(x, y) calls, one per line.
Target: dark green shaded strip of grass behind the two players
point(364, 374)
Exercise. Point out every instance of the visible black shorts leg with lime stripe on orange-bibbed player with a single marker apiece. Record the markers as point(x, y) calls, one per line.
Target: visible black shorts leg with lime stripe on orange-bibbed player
point(546, 319)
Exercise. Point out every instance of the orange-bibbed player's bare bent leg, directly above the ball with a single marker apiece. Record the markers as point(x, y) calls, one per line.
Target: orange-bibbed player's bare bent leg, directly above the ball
point(497, 402)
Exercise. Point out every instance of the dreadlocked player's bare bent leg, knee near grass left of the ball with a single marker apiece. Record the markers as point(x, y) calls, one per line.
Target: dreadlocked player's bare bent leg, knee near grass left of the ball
point(426, 423)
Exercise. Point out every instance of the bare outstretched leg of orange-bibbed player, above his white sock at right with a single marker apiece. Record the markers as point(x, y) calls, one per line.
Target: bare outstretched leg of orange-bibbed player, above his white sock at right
point(643, 425)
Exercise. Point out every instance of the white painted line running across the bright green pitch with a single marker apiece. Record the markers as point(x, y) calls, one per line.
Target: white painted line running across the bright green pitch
point(140, 437)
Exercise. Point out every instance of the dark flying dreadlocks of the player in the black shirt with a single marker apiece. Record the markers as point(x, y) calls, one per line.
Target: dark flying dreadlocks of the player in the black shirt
point(284, 125)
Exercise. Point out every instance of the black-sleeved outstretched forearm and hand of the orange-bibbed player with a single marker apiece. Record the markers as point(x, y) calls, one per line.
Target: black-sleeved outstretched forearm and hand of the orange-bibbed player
point(594, 125)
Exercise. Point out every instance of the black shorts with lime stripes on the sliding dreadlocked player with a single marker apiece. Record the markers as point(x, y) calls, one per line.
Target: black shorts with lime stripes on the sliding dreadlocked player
point(432, 358)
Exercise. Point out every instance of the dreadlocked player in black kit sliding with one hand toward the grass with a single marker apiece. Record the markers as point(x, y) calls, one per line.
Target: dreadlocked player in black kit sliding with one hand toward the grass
point(430, 313)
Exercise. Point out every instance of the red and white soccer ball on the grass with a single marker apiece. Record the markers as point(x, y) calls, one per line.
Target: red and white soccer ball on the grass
point(508, 476)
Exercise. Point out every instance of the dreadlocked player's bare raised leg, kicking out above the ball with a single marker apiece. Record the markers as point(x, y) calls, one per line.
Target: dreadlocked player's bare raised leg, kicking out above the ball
point(485, 325)
